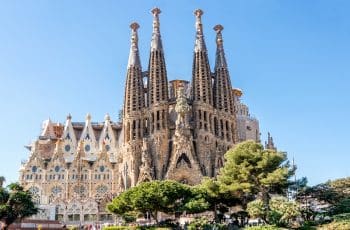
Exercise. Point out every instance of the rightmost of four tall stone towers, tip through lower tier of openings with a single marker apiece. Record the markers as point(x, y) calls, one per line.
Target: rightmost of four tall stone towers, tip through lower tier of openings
point(223, 97)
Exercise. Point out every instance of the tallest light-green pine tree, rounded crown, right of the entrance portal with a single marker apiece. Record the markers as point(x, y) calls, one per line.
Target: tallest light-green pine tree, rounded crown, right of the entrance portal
point(250, 170)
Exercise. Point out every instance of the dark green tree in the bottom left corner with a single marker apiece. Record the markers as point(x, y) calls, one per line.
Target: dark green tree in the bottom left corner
point(15, 203)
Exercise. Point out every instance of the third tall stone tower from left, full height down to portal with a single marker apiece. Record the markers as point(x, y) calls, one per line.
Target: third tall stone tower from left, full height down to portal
point(202, 109)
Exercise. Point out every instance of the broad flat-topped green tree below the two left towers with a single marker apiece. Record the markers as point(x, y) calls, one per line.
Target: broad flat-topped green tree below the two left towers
point(152, 197)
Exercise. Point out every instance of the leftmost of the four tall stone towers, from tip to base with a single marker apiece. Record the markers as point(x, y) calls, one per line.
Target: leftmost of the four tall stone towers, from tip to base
point(133, 118)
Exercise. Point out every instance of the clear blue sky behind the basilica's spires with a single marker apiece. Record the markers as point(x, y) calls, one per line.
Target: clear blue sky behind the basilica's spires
point(291, 58)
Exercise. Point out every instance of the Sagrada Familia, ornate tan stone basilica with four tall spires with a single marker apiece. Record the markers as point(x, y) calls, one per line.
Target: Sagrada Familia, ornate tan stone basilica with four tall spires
point(176, 130)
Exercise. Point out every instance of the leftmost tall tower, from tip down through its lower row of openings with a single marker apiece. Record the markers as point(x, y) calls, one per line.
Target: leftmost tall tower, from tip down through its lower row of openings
point(134, 99)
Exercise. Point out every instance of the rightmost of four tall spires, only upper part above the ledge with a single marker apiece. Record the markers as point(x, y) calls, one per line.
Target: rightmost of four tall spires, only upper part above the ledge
point(223, 98)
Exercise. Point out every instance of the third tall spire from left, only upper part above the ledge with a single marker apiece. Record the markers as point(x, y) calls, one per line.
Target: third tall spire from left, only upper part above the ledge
point(201, 75)
